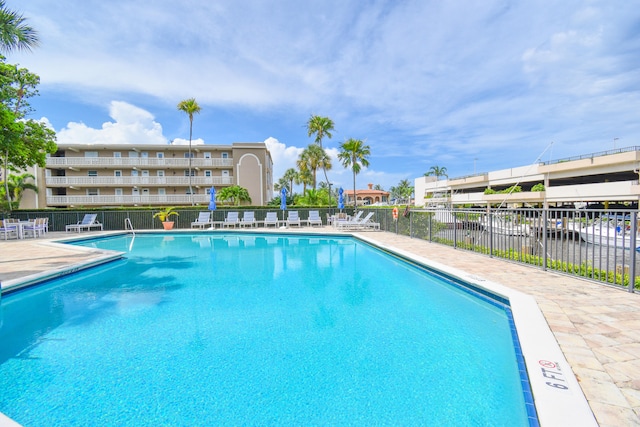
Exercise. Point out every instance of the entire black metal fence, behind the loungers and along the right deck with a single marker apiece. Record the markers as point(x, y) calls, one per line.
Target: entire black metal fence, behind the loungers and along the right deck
point(599, 245)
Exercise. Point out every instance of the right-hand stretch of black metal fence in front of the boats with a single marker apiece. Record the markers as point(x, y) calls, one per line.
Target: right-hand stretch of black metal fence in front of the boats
point(599, 245)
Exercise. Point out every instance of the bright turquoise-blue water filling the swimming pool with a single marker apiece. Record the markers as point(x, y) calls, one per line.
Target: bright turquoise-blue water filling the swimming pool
point(242, 329)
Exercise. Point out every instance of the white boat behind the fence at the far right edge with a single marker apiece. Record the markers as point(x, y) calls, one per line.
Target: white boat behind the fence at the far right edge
point(610, 230)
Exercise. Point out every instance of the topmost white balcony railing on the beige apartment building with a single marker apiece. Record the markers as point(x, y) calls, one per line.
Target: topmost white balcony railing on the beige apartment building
point(85, 162)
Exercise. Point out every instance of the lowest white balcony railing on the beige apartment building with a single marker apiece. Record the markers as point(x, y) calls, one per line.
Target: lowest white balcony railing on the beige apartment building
point(173, 199)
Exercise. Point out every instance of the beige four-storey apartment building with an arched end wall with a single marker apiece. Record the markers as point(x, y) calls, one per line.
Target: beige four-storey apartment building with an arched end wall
point(150, 175)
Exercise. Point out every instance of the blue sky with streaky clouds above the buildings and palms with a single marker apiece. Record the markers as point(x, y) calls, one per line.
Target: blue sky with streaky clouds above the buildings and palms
point(472, 86)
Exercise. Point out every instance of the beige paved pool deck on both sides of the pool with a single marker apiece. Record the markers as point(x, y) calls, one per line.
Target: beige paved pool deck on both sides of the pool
point(596, 327)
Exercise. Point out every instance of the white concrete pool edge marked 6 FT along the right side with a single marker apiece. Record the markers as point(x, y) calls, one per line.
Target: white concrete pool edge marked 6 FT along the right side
point(558, 397)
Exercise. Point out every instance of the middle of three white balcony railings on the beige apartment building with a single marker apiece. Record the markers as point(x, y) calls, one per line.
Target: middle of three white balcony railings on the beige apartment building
point(106, 181)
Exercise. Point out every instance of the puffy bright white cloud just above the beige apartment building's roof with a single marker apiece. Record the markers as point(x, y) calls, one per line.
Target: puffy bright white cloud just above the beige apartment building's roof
point(130, 125)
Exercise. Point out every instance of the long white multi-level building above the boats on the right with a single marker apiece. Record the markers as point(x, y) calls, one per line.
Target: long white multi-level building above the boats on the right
point(608, 176)
